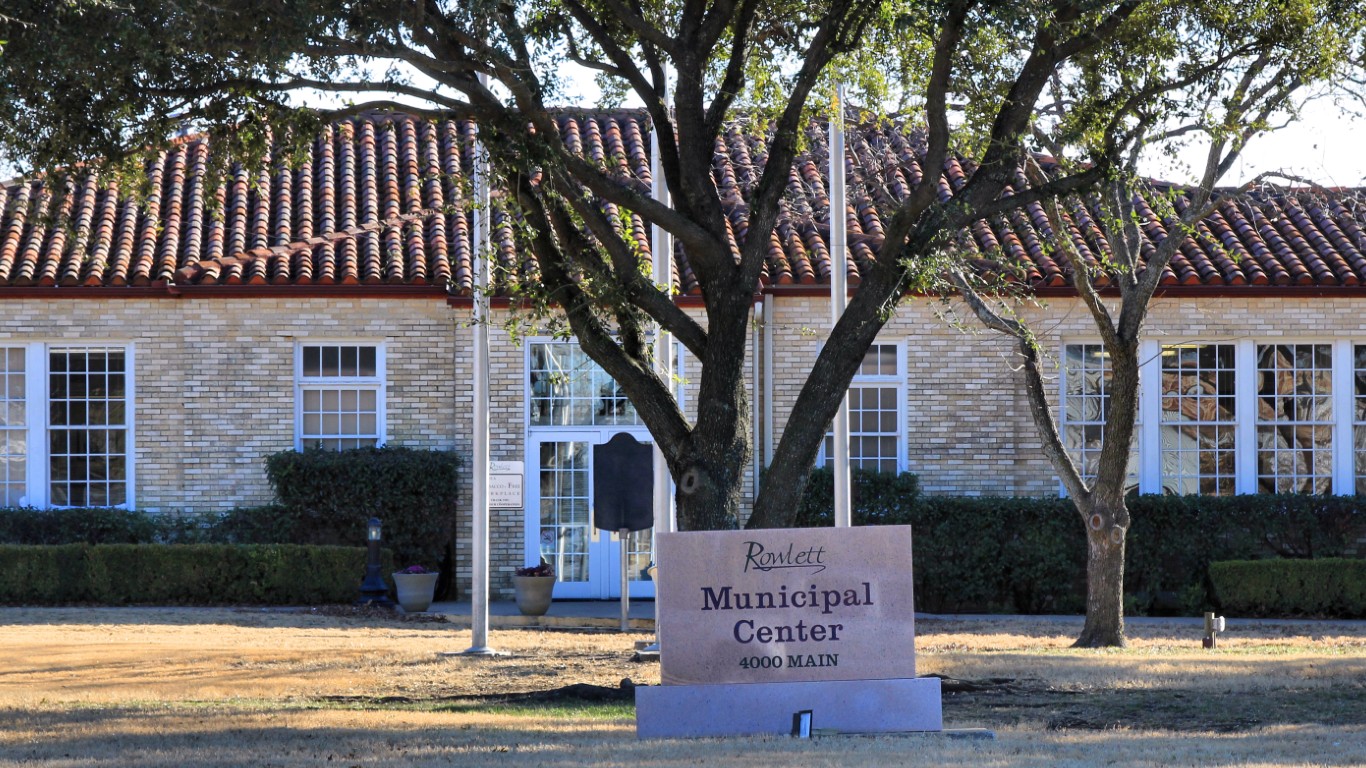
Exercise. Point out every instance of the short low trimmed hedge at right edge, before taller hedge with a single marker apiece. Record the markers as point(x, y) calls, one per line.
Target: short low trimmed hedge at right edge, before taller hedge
point(1331, 587)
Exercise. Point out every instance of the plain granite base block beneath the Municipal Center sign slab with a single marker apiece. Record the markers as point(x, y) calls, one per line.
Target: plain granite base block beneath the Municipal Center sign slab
point(731, 710)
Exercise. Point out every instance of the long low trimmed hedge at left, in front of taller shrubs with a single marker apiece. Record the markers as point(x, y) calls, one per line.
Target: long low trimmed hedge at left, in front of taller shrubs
point(186, 575)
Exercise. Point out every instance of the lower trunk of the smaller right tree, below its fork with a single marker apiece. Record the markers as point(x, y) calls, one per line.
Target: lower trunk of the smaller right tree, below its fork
point(1104, 579)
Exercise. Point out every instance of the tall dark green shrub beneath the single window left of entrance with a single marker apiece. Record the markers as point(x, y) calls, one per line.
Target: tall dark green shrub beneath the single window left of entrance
point(329, 497)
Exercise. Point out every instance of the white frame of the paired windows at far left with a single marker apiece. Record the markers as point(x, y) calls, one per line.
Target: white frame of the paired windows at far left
point(38, 415)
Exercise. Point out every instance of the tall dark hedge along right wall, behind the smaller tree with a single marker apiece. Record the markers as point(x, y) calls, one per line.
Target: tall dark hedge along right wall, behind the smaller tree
point(1029, 556)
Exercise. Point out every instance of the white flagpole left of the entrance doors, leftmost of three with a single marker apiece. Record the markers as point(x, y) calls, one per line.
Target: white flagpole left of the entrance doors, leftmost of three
point(480, 528)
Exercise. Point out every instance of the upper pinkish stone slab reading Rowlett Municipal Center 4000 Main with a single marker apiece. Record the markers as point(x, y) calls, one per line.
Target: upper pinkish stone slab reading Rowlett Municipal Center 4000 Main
point(787, 605)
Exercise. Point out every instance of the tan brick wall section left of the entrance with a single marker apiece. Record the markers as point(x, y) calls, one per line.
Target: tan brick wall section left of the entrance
point(214, 381)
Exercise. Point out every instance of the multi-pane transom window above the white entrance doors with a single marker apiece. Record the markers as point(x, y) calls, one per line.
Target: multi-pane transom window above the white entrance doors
point(570, 390)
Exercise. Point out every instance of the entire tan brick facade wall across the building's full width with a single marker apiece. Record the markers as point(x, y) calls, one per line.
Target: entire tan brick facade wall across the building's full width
point(215, 385)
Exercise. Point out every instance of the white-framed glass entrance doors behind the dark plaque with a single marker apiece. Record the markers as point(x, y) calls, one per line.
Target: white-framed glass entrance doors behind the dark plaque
point(559, 523)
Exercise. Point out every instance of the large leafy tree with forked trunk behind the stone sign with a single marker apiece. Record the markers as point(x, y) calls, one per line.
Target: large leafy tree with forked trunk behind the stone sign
point(96, 81)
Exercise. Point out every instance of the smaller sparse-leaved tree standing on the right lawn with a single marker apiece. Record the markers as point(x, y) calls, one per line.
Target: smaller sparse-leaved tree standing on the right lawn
point(1230, 94)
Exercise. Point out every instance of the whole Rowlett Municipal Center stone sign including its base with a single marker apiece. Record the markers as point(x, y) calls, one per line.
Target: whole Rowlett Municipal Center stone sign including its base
point(760, 629)
